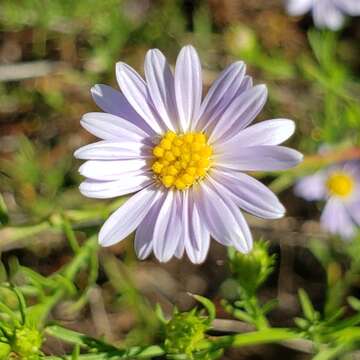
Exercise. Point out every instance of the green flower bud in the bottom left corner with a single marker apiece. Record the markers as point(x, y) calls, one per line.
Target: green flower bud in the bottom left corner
point(26, 343)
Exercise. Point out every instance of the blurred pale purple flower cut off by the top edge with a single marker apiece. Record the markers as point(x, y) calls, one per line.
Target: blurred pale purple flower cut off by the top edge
point(326, 13)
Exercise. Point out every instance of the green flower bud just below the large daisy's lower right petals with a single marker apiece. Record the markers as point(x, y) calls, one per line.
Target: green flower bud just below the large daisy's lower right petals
point(251, 270)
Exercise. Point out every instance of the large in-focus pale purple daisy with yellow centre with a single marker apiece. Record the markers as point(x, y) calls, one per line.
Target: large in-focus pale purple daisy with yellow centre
point(184, 158)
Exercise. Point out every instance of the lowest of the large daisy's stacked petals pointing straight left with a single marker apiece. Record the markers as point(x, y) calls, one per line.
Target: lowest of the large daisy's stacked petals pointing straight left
point(130, 183)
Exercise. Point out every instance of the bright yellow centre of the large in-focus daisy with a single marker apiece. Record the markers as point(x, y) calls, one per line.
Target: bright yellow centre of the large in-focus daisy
point(181, 159)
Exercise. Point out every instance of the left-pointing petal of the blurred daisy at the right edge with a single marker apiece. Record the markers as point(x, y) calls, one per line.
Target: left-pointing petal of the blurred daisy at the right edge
point(312, 187)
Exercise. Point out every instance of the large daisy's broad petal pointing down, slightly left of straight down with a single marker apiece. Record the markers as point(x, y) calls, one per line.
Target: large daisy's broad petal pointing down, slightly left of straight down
point(167, 231)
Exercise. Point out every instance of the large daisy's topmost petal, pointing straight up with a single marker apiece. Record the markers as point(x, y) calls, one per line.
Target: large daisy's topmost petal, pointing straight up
point(188, 86)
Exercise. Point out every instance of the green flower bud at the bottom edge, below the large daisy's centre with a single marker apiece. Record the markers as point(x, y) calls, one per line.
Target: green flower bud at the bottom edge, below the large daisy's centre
point(184, 333)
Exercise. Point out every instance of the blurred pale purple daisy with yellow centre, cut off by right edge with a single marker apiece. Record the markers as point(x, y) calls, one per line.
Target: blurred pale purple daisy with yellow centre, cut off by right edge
point(339, 186)
